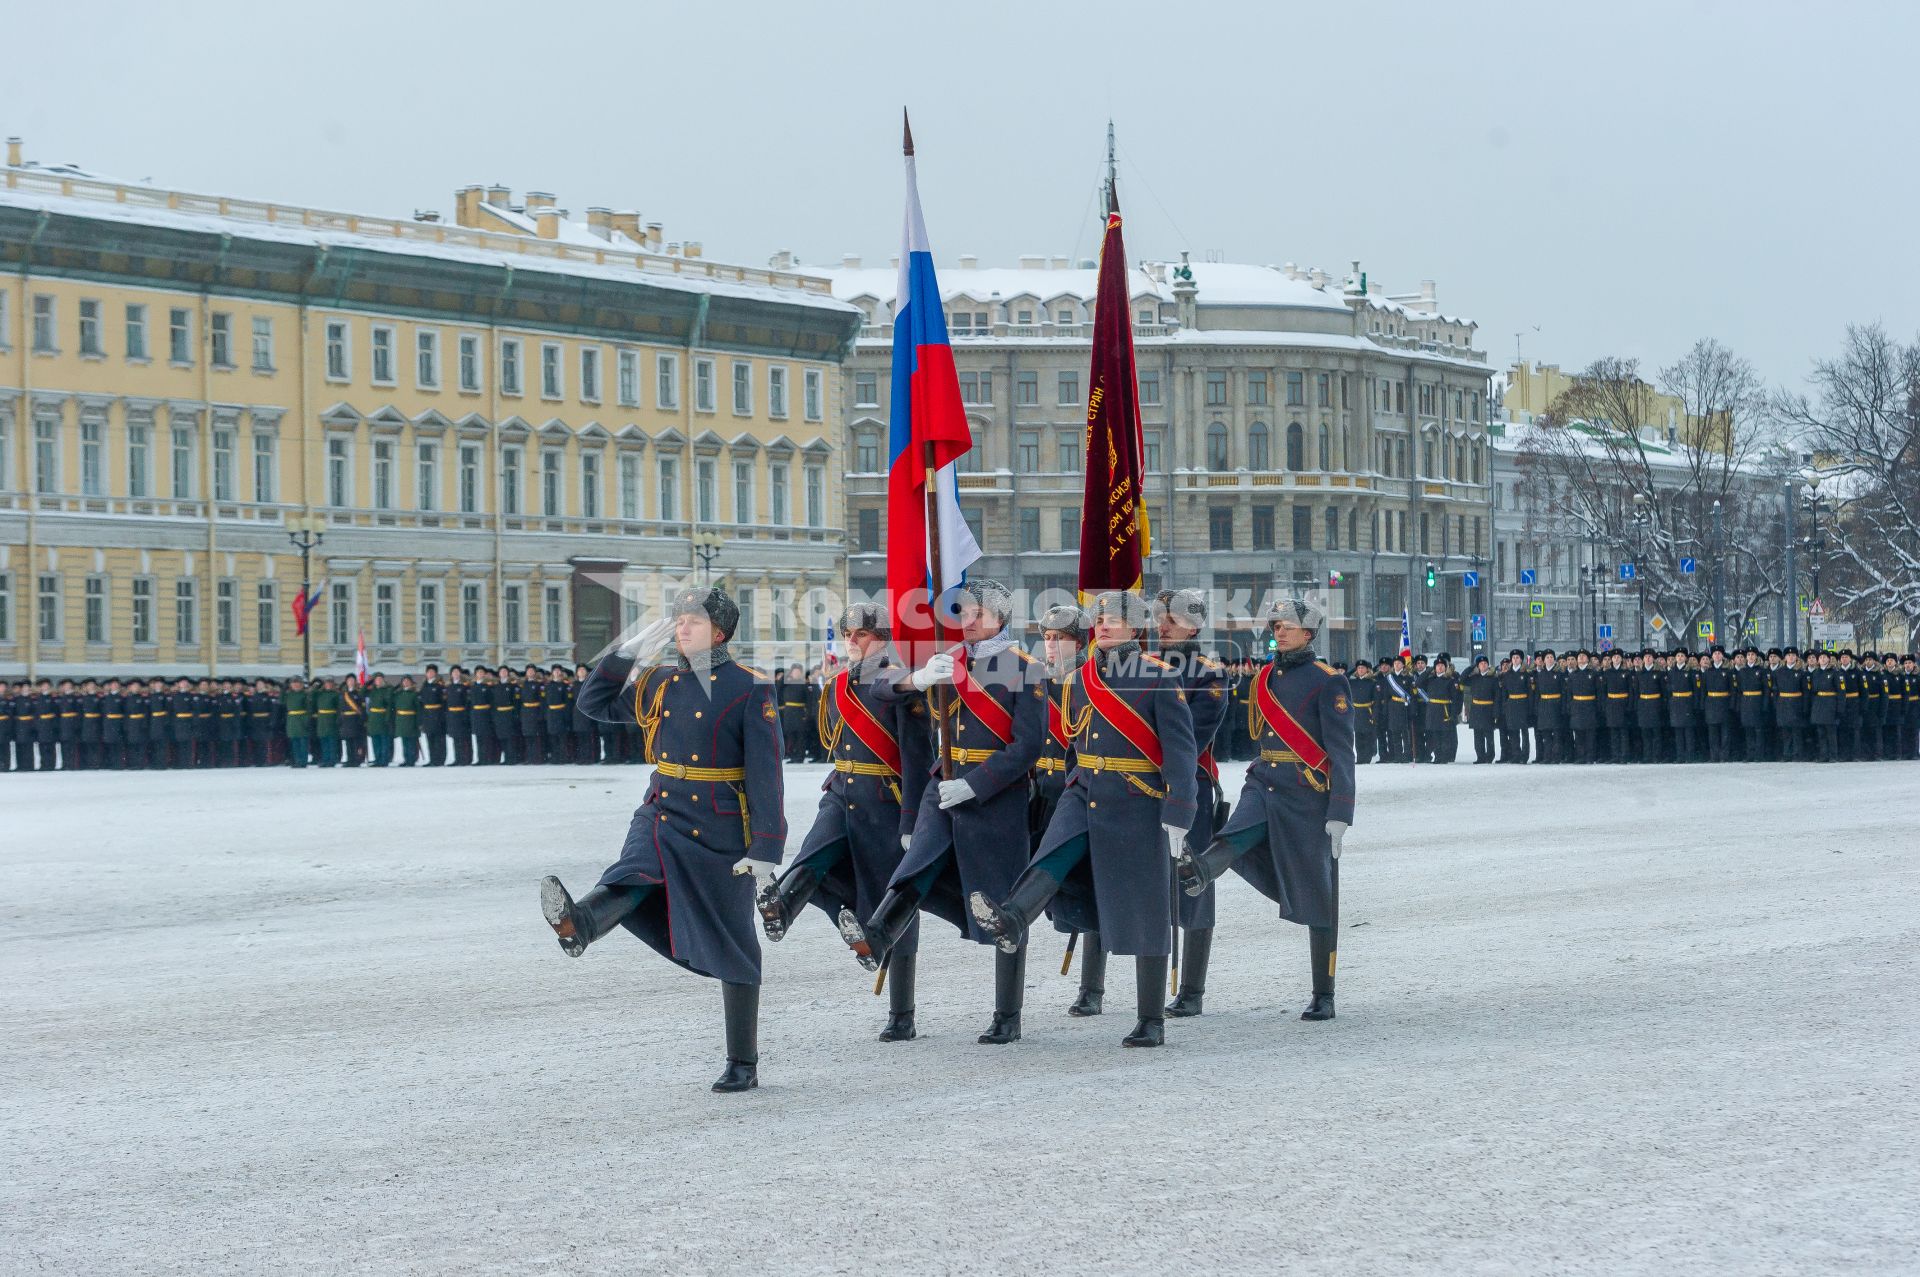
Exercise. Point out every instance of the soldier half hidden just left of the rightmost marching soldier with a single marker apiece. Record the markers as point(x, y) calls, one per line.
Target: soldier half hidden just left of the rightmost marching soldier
point(1203, 681)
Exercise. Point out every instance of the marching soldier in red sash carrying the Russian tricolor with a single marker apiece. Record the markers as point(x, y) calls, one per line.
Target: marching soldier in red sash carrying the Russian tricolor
point(972, 831)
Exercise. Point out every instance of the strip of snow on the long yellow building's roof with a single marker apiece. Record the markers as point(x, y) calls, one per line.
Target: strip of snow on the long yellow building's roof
point(251, 220)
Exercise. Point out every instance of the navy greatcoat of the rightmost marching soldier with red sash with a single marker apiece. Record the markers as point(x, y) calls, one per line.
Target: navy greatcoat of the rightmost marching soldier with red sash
point(1295, 869)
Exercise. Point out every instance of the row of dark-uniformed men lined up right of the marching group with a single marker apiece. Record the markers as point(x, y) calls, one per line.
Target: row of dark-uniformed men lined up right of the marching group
point(1644, 708)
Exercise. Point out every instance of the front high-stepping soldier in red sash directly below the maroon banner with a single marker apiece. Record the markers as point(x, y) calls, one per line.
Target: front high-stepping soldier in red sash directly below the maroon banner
point(1136, 769)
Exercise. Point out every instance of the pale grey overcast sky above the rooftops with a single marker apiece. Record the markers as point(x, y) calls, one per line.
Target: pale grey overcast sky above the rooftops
point(1596, 178)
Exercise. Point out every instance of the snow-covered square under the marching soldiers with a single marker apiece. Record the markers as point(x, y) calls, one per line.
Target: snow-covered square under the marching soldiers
point(1593, 1021)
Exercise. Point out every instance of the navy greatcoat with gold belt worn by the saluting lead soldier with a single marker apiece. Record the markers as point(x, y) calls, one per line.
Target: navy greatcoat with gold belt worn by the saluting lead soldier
point(692, 829)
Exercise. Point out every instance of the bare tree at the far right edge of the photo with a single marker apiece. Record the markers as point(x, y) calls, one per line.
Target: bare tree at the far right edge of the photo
point(1863, 427)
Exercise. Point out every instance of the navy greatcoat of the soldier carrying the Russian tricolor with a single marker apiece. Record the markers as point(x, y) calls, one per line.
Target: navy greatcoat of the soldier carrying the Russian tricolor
point(986, 836)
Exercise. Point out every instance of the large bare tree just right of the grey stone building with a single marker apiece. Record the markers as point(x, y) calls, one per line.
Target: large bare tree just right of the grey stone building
point(1610, 466)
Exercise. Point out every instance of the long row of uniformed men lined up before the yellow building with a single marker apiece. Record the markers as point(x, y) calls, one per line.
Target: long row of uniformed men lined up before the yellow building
point(462, 717)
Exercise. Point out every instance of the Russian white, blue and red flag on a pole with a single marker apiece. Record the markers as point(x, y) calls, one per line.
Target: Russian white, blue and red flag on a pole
point(928, 433)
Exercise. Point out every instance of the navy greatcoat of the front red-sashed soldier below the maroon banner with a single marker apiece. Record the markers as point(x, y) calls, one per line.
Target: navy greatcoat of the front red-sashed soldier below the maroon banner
point(1124, 888)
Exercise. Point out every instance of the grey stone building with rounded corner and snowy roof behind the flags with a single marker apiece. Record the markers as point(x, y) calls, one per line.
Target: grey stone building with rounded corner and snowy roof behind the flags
point(1301, 431)
